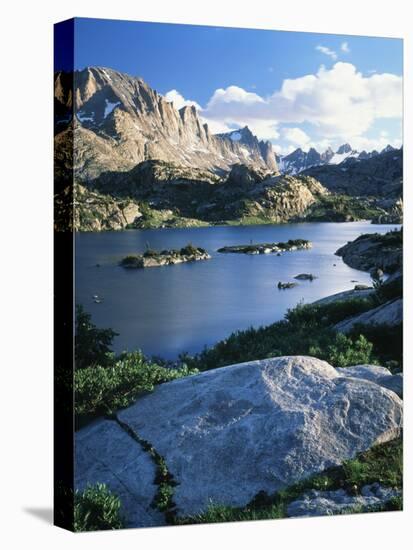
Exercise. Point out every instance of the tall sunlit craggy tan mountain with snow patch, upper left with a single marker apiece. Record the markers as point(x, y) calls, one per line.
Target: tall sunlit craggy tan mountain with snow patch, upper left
point(119, 121)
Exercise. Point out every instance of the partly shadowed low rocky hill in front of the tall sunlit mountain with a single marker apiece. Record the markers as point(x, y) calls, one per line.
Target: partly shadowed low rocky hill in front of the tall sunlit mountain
point(245, 196)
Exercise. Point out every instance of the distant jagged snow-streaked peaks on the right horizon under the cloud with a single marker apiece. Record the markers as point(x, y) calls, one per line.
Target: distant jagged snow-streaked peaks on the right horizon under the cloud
point(299, 160)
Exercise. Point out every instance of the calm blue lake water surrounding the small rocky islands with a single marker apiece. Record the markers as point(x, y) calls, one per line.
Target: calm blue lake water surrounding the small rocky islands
point(169, 310)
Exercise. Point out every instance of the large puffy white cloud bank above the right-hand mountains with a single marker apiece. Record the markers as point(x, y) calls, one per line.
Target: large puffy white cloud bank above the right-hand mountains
point(339, 103)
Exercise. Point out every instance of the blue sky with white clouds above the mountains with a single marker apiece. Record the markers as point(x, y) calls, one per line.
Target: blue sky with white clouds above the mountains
point(294, 89)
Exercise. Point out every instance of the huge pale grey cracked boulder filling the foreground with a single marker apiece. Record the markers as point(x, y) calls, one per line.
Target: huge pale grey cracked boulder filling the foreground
point(229, 433)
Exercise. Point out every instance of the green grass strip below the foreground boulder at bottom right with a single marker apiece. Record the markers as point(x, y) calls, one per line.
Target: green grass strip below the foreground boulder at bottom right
point(382, 463)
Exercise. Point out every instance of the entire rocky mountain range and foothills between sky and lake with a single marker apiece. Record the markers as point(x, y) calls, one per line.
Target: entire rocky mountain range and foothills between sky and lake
point(138, 162)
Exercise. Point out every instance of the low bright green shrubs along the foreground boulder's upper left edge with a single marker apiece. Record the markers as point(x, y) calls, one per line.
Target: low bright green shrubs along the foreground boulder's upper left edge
point(101, 390)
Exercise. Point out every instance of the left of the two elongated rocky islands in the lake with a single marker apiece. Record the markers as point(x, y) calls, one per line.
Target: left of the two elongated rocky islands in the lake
point(152, 258)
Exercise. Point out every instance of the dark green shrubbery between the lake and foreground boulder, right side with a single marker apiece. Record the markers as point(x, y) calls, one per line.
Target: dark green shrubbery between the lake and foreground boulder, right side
point(307, 330)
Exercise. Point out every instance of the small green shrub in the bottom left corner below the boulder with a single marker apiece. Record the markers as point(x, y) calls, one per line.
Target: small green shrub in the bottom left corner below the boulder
point(96, 508)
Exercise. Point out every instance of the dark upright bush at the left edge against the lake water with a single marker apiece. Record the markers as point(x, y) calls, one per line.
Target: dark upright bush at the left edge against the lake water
point(92, 344)
